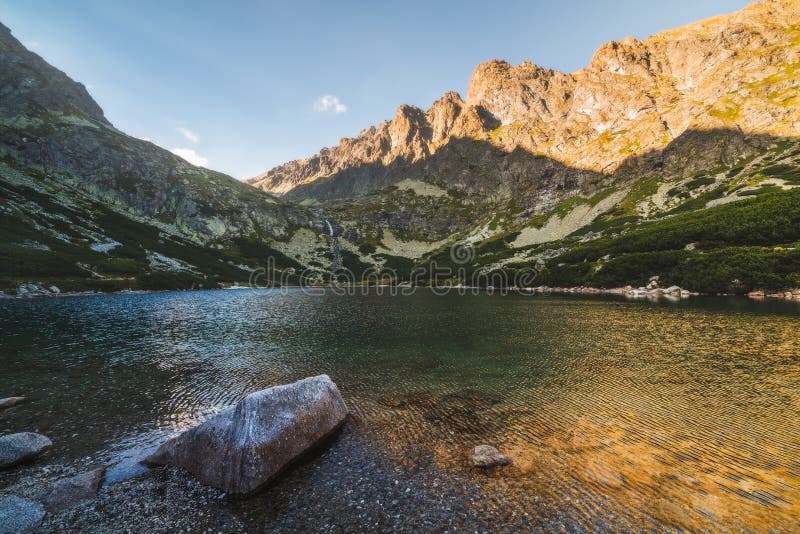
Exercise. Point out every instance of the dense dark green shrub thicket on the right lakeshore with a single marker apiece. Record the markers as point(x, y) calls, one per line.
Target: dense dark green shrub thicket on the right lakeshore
point(737, 247)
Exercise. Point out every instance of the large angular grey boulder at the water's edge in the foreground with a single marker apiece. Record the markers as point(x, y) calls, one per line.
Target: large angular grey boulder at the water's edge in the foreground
point(245, 446)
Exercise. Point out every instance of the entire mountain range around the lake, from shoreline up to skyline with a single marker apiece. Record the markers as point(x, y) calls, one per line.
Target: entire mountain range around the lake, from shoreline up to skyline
point(522, 181)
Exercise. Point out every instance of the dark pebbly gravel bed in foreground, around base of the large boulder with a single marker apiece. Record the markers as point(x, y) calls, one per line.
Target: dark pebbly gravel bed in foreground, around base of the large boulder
point(346, 484)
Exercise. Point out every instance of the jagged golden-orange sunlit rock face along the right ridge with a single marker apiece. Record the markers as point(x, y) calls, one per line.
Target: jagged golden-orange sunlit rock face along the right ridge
point(634, 98)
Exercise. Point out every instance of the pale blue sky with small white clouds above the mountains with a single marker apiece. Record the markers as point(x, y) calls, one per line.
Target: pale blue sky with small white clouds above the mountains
point(240, 86)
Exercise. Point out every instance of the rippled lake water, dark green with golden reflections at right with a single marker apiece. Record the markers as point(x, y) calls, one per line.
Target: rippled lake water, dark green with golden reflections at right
point(618, 415)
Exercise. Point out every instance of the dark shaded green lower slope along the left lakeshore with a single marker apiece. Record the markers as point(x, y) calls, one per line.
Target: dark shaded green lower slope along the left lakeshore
point(46, 233)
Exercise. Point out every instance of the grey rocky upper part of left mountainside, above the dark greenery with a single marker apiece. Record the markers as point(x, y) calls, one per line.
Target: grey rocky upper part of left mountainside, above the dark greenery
point(51, 125)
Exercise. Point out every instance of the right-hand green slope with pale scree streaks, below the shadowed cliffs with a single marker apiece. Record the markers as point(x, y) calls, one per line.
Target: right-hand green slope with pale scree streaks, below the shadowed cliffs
point(750, 243)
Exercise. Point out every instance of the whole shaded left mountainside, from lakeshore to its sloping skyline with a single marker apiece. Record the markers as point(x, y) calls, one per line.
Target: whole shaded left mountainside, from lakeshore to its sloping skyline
point(91, 207)
